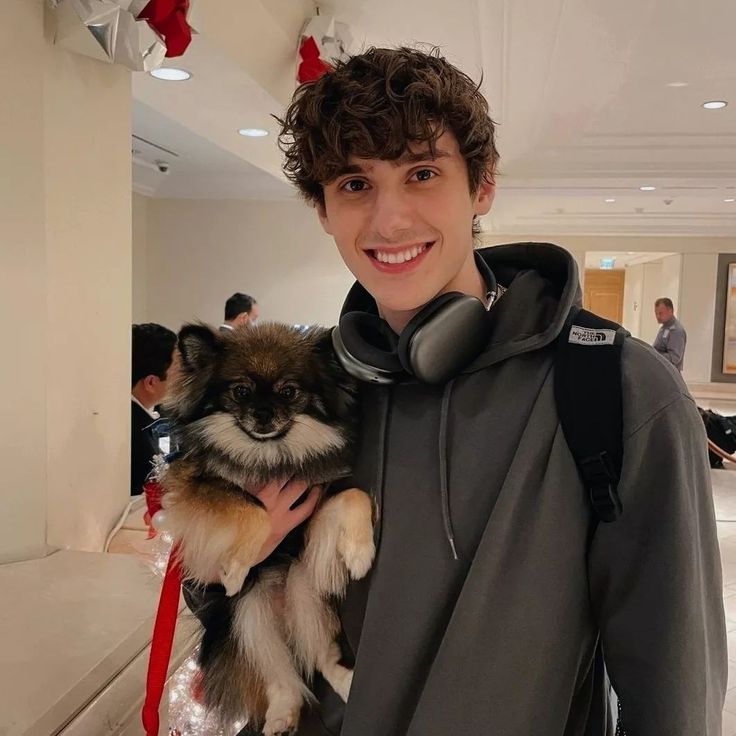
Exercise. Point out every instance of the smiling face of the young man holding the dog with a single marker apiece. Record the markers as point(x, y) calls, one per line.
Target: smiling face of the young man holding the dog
point(404, 228)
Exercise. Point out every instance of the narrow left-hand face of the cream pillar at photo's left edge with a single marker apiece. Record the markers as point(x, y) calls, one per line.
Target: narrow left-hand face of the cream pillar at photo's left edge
point(22, 284)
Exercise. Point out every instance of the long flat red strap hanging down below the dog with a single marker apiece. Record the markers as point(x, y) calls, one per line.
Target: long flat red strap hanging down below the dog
point(162, 643)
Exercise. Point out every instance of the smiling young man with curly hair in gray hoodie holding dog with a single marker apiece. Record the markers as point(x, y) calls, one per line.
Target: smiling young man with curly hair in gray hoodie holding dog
point(495, 596)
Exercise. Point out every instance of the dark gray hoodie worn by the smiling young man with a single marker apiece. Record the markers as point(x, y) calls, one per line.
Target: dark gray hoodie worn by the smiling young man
point(507, 639)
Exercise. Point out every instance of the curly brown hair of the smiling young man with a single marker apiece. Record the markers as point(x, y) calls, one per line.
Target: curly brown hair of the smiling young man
point(373, 105)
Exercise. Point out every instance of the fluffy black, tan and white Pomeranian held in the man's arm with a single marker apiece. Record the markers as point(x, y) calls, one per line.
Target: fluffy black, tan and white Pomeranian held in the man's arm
point(248, 407)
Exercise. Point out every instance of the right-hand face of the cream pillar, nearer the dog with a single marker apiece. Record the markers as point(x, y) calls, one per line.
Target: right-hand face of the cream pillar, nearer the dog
point(88, 243)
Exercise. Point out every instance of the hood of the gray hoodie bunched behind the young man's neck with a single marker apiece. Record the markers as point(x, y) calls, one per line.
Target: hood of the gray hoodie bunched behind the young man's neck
point(542, 286)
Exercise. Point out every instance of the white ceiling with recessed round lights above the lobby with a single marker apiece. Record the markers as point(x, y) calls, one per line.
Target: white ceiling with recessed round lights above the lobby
point(580, 89)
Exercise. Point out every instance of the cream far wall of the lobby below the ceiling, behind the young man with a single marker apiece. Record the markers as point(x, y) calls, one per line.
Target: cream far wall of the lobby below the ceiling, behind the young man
point(199, 252)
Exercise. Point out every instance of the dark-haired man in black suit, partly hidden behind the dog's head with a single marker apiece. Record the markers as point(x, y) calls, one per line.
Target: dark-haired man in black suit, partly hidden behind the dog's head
point(153, 352)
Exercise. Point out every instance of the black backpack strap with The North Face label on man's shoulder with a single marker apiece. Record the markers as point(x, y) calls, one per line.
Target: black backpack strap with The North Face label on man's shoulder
point(589, 400)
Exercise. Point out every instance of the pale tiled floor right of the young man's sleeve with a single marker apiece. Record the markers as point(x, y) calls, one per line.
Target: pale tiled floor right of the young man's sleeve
point(724, 491)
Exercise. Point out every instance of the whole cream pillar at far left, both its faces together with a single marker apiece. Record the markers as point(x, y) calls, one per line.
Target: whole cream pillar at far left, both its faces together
point(65, 273)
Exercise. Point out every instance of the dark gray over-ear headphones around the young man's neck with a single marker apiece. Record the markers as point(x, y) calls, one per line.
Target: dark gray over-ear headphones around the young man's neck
point(444, 337)
